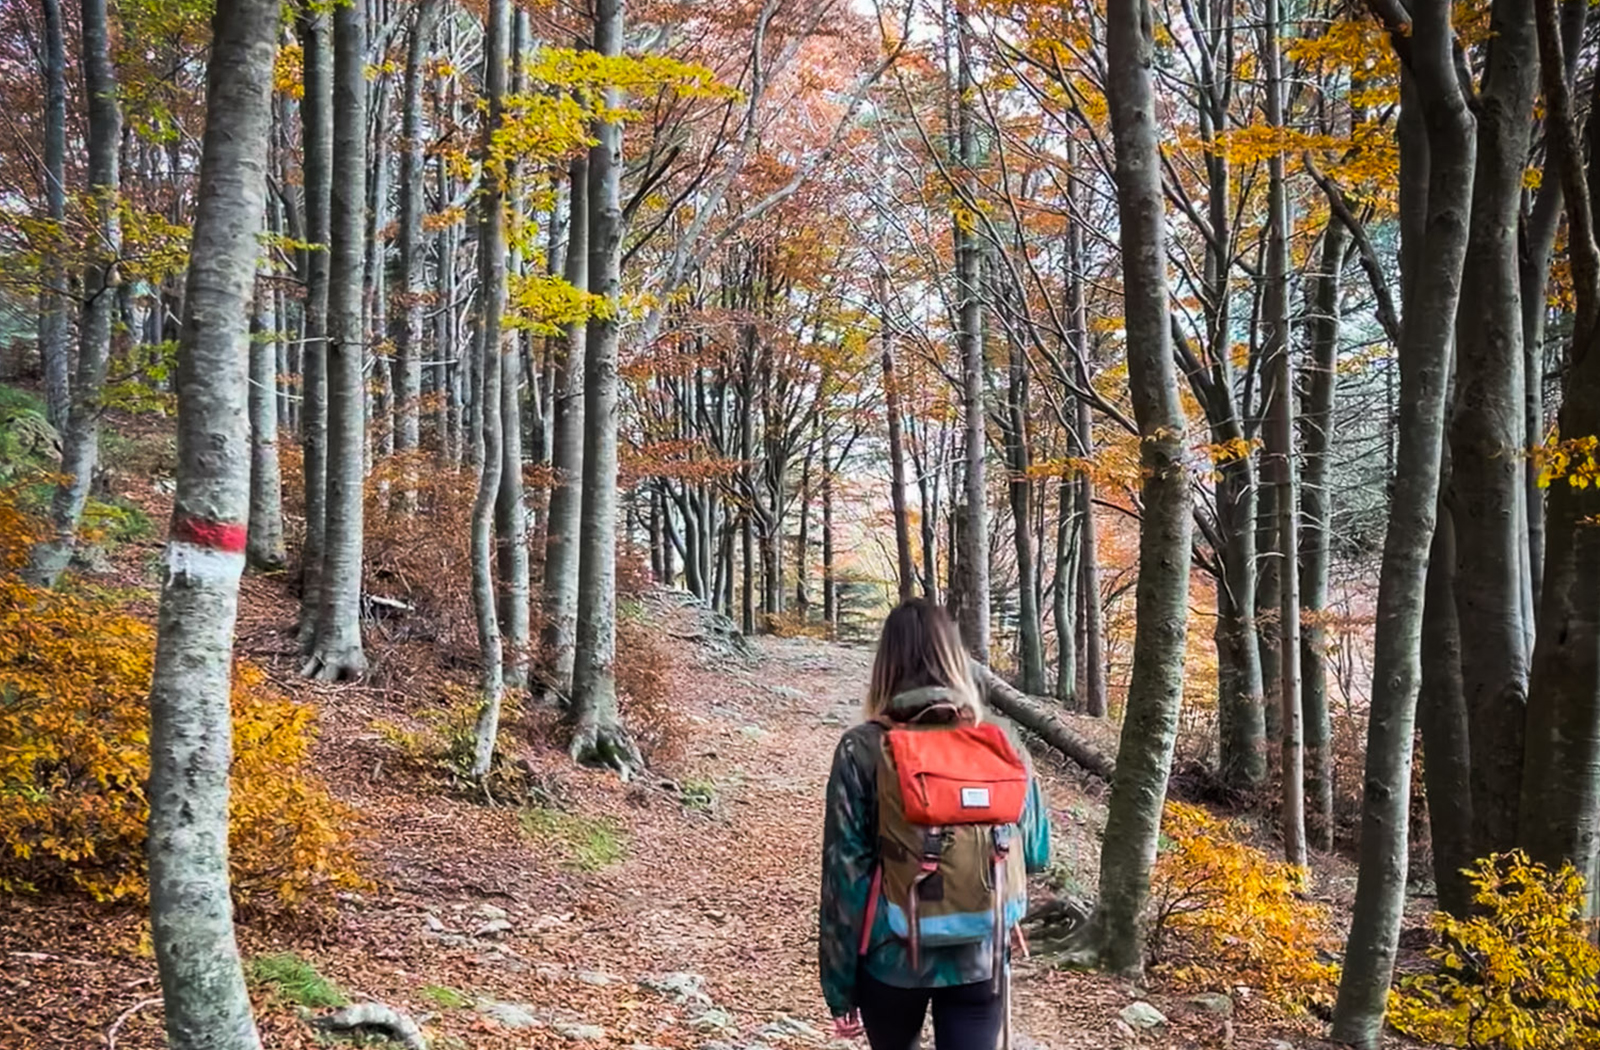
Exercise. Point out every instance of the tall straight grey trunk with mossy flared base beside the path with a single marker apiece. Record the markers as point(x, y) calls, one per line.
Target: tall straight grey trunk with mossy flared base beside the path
point(599, 737)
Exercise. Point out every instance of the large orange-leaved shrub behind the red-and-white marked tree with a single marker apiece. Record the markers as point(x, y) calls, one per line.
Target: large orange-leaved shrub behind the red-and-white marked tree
point(74, 755)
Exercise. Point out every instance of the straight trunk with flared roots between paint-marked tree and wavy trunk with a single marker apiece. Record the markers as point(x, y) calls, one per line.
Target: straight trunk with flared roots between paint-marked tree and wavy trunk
point(338, 654)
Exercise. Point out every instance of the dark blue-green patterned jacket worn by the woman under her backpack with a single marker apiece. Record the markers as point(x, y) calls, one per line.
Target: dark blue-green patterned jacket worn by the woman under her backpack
point(850, 851)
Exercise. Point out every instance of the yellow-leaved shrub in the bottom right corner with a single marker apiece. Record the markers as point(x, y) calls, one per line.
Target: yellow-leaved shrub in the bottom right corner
point(1522, 974)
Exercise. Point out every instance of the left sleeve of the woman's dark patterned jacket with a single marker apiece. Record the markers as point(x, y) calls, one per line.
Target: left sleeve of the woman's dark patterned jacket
point(849, 854)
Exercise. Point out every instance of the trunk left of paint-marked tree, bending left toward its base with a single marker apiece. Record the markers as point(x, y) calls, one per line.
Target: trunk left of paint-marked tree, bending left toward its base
point(81, 441)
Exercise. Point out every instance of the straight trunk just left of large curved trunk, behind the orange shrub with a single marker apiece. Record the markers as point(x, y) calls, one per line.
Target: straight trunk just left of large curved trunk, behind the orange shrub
point(1318, 516)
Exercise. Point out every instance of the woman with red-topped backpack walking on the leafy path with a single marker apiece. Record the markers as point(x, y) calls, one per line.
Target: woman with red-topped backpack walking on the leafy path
point(934, 824)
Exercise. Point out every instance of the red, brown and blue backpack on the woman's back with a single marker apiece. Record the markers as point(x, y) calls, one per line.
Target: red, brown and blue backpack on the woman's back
point(950, 804)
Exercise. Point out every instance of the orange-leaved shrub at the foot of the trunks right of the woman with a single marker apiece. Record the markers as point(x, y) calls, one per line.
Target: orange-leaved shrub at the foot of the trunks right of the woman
point(1226, 915)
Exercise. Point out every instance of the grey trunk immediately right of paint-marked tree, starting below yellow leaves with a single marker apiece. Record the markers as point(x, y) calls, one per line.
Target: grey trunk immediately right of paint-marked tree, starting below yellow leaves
point(265, 550)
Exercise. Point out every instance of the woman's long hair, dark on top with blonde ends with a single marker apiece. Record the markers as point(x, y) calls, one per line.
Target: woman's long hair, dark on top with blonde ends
point(922, 647)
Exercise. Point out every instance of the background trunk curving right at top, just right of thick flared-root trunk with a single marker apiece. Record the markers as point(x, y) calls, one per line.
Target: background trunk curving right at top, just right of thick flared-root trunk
point(414, 273)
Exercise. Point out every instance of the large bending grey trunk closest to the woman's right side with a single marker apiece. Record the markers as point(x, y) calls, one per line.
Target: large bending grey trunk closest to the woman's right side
point(1162, 599)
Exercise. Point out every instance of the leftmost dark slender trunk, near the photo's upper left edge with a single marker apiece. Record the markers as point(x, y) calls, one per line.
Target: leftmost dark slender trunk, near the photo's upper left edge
point(54, 332)
